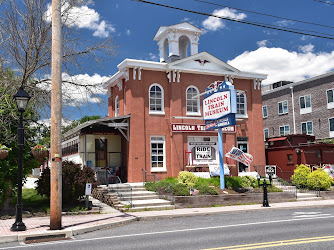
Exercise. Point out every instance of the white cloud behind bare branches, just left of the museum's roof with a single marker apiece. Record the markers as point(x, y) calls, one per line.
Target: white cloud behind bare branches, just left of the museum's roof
point(74, 95)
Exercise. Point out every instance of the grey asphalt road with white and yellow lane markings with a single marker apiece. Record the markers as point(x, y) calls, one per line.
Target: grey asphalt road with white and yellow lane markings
point(310, 228)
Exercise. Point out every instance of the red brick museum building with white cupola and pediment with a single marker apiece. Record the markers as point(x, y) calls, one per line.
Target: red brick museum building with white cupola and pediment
point(165, 123)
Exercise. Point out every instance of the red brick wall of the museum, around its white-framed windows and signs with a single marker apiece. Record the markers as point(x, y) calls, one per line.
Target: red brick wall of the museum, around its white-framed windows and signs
point(143, 125)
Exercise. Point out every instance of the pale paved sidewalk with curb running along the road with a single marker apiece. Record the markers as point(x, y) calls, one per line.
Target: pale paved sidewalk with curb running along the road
point(79, 224)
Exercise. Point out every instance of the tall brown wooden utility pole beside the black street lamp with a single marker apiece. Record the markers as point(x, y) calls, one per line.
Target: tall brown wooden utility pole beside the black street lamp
point(56, 114)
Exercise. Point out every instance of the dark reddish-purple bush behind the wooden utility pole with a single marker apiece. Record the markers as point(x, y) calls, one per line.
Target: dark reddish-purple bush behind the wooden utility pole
point(74, 181)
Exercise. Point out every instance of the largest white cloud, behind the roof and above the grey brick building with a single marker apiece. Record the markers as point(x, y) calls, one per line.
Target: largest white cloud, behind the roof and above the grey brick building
point(281, 64)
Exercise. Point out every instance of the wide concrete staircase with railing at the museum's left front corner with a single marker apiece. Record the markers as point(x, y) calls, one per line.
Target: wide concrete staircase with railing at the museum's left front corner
point(141, 199)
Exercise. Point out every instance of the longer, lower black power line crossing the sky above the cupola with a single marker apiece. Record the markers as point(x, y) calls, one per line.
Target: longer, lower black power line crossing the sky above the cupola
point(280, 28)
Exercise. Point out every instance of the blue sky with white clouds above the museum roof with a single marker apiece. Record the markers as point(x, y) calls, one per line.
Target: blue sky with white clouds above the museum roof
point(281, 55)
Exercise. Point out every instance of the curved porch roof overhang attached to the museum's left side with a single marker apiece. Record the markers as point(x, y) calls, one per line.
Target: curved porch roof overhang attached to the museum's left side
point(121, 123)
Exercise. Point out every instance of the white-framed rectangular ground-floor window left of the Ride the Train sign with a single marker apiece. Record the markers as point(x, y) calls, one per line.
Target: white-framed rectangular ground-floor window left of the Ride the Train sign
point(158, 158)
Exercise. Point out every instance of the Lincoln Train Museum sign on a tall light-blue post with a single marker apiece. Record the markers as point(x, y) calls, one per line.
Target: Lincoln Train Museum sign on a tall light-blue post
point(219, 109)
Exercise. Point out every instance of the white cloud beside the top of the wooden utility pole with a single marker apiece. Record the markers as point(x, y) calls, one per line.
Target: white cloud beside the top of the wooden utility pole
point(84, 17)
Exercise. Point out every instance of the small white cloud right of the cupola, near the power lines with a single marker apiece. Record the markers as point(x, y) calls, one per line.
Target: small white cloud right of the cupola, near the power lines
point(214, 23)
